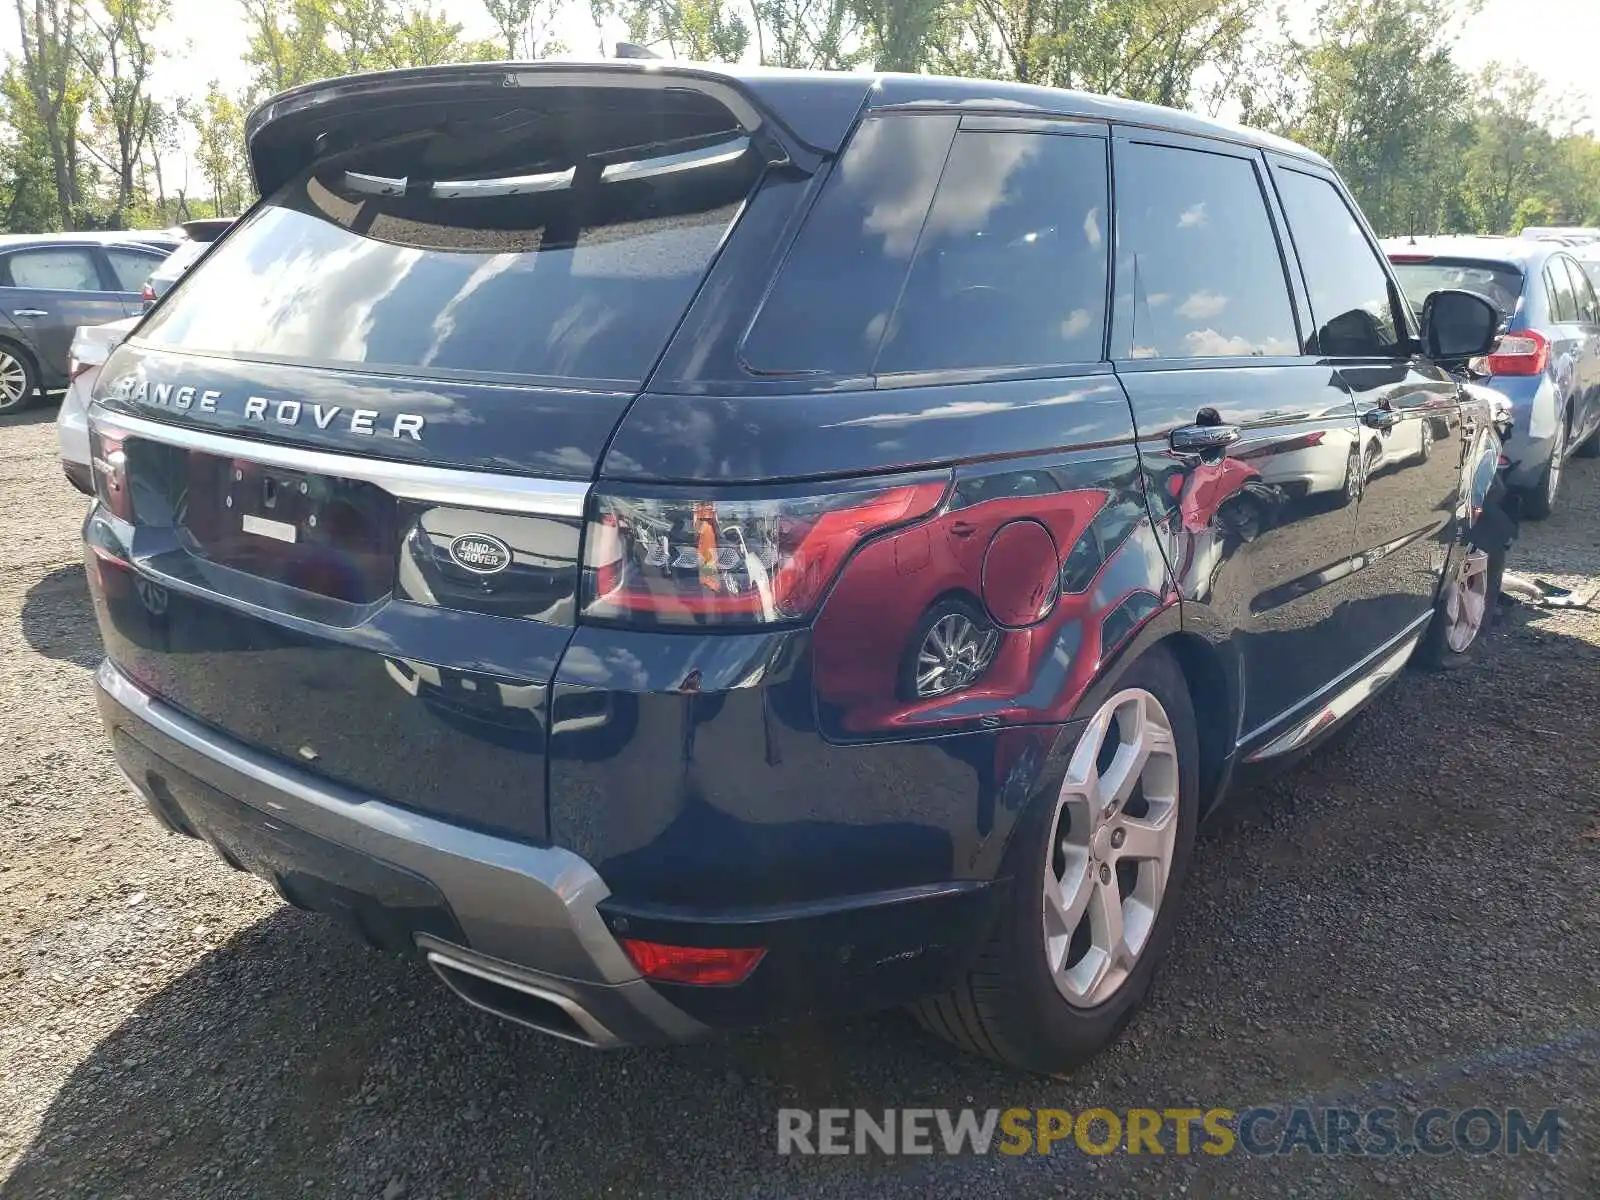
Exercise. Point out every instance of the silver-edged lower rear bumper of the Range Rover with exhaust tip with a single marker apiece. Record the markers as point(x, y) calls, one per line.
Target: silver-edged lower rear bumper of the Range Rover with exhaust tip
point(540, 951)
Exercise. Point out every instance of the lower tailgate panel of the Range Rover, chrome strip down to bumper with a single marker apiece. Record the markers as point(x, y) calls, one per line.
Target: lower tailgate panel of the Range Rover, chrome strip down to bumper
point(342, 615)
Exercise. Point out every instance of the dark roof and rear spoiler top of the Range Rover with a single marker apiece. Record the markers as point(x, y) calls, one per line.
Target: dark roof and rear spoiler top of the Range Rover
point(818, 108)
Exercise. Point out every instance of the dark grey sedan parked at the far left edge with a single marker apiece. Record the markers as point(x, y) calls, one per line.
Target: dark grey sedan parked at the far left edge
point(52, 286)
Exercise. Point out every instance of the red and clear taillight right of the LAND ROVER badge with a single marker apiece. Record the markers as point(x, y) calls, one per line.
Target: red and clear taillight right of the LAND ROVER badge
point(666, 558)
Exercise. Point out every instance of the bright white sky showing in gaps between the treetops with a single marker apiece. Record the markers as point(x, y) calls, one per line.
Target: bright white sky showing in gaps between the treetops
point(1561, 39)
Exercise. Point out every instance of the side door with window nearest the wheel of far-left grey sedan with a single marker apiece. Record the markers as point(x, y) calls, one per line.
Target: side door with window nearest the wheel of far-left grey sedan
point(49, 292)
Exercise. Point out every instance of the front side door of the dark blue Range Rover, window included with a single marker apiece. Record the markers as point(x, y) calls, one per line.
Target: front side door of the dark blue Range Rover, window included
point(1410, 433)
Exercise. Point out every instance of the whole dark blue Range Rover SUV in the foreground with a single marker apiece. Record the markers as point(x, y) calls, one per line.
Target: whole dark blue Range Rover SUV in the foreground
point(682, 548)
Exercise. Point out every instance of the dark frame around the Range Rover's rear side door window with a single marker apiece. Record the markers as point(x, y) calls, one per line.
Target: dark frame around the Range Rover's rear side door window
point(1119, 302)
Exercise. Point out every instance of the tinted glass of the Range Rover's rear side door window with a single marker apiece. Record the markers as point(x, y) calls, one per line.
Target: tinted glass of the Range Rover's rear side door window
point(1199, 263)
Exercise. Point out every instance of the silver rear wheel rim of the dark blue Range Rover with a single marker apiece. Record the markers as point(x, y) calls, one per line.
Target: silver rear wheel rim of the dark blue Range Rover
point(1111, 850)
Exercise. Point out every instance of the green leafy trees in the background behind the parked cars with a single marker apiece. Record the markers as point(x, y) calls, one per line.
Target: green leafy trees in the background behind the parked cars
point(1372, 84)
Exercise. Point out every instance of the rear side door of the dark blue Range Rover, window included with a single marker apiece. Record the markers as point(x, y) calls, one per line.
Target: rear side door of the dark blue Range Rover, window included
point(1207, 343)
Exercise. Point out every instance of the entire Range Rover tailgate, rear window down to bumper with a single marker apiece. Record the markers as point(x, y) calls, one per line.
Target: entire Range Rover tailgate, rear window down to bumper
point(348, 529)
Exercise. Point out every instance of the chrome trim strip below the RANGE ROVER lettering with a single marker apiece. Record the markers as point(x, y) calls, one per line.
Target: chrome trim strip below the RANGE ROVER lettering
point(404, 481)
